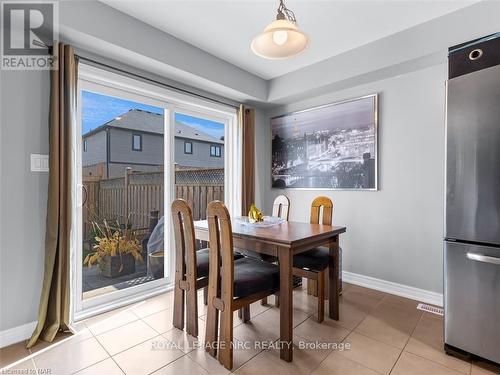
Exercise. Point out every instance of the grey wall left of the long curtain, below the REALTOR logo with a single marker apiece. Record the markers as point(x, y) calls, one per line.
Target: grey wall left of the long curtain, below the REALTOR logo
point(23, 198)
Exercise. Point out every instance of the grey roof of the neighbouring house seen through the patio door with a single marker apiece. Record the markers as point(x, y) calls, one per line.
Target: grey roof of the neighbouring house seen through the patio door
point(145, 121)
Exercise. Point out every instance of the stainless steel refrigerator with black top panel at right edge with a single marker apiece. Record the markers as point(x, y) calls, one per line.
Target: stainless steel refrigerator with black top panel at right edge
point(472, 228)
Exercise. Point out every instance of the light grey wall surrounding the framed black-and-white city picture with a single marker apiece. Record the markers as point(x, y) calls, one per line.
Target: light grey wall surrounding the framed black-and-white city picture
point(394, 234)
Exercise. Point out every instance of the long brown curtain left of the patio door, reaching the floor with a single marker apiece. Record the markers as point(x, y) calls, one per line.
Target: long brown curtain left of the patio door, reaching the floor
point(53, 313)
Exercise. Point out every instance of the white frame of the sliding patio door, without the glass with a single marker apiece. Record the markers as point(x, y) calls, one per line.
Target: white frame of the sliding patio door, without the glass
point(91, 78)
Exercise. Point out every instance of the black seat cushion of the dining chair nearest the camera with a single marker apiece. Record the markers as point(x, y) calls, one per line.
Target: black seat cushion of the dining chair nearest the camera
point(253, 276)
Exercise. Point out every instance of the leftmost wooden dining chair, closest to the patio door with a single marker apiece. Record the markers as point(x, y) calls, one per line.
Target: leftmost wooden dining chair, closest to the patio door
point(191, 268)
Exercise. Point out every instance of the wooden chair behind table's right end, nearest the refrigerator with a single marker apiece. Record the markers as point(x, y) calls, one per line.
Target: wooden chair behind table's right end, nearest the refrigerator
point(313, 264)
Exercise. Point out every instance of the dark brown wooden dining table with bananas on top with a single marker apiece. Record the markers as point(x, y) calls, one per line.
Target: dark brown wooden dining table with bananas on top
point(283, 241)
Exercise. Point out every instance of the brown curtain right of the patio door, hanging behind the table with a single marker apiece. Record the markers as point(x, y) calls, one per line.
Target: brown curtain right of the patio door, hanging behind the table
point(247, 118)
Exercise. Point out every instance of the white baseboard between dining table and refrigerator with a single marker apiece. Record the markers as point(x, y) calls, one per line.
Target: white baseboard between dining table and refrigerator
point(401, 290)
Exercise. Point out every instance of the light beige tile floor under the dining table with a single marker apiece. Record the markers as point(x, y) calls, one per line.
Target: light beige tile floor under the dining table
point(386, 334)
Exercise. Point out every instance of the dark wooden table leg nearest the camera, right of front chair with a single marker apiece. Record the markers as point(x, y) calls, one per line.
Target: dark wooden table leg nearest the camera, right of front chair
point(285, 258)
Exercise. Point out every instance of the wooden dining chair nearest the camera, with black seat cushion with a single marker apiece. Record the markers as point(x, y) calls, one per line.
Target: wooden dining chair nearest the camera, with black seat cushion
point(233, 284)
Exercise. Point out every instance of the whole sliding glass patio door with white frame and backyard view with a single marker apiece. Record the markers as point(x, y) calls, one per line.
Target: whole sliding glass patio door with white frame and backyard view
point(137, 147)
